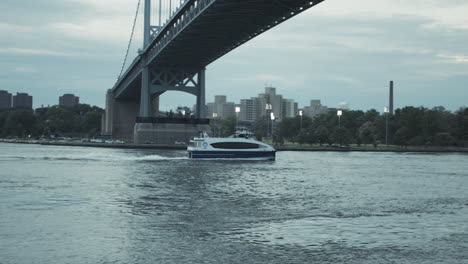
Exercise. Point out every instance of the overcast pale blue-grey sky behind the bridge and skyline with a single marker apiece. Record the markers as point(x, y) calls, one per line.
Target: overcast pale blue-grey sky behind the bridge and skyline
point(338, 51)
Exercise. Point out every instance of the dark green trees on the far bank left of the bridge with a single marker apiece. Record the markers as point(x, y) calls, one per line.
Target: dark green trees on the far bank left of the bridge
point(78, 121)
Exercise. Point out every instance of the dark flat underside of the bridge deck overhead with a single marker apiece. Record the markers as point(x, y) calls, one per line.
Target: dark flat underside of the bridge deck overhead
point(220, 28)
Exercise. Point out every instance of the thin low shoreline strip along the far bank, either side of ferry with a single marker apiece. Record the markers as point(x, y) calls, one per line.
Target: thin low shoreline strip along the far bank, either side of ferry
point(278, 148)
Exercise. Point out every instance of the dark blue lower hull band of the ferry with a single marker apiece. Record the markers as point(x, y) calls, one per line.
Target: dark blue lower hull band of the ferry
point(267, 155)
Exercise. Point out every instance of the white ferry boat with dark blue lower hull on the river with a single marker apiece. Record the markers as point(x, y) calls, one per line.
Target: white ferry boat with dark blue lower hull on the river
point(242, 145)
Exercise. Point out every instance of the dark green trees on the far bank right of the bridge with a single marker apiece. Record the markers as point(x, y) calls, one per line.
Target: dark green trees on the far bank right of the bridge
point(409, 126)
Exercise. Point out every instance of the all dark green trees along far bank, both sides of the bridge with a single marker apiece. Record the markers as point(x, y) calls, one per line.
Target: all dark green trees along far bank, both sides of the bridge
point(409, 126)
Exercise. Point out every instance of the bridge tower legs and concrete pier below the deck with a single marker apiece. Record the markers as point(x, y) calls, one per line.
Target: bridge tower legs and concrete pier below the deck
point(149, 128)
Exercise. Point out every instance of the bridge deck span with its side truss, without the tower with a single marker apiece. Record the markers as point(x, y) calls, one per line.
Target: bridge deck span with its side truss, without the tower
point(203, 31)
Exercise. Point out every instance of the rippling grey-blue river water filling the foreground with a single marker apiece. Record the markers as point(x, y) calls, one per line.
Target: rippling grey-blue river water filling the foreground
point(92, 205)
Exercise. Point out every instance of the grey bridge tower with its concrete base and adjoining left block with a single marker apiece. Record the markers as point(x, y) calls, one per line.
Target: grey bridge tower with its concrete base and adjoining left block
point(140, 118)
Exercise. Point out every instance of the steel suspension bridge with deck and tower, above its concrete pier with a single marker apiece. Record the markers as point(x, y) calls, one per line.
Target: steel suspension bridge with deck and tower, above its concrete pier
point(194, 35)
